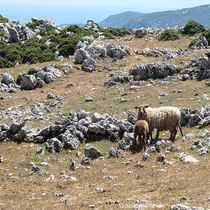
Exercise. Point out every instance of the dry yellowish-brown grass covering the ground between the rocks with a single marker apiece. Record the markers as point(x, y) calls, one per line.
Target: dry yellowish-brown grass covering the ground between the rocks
point(24, 190)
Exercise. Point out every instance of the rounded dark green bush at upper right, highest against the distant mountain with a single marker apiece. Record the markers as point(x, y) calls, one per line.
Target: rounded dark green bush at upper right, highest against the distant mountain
point(192, 28)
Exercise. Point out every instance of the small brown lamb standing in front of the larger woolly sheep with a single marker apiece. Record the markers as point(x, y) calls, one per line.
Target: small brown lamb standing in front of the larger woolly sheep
point(141, 131)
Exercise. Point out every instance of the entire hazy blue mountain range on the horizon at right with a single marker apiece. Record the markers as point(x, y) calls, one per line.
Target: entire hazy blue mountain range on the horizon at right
point(172, 18)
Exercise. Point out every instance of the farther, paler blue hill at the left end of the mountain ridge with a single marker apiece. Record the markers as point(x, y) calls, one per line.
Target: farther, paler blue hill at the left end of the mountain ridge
point(117, 21)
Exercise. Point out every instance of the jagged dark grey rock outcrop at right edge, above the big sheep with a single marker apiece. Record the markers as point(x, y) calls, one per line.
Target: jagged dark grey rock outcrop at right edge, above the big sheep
point(201, 68)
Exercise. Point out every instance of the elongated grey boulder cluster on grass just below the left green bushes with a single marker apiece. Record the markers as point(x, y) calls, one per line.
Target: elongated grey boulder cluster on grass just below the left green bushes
point(43, 76)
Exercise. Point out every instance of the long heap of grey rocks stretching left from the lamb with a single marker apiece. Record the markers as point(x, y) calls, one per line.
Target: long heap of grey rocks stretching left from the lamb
point(71, 131)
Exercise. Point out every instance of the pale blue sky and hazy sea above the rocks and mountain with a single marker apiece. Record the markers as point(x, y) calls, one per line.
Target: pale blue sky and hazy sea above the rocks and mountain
point(79, 11)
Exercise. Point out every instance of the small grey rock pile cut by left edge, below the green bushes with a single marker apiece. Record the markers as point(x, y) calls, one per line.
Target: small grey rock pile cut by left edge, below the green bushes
point(6, 85)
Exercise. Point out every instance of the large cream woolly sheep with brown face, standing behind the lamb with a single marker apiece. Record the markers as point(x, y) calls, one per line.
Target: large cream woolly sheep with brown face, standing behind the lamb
point(161, 118)
